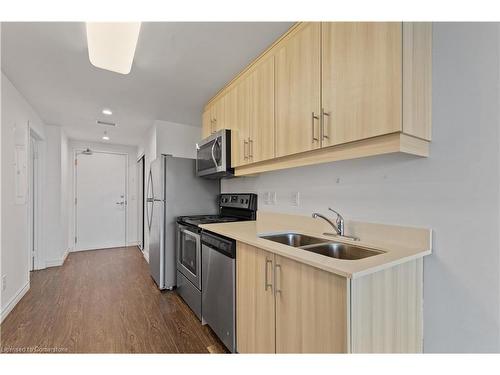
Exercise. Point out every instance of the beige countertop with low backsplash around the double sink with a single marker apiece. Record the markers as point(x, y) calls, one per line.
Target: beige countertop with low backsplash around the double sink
point(398, 244)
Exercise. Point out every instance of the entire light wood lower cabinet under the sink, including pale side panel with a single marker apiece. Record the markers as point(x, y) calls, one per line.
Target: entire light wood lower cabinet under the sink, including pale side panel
point(285, 306)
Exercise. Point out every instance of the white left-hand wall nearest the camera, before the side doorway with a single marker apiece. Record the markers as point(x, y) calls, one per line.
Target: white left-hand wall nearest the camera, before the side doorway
point(14, 246)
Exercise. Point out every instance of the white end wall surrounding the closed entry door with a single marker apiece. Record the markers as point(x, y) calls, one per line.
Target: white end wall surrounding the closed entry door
point(132, 215)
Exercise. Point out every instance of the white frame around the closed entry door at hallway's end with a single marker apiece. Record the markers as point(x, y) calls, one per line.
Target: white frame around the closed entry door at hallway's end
point(77, 152)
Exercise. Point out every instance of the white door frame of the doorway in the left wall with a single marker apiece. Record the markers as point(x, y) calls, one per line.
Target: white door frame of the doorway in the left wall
point(36, 259)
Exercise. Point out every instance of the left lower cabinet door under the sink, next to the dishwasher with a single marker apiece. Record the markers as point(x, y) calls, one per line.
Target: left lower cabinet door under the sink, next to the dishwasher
point(255, 314)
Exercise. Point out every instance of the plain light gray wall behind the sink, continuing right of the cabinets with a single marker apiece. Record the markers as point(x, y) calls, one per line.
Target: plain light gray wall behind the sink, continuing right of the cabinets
point(455, 191)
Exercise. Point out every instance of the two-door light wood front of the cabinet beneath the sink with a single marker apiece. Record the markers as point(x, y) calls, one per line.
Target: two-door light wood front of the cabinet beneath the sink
point(284, 306)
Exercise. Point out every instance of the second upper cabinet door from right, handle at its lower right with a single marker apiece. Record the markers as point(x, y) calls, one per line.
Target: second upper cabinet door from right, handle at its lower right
point(298, 91)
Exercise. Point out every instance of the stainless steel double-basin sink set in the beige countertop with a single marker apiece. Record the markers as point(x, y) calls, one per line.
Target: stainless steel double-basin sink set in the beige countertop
point(322, 246)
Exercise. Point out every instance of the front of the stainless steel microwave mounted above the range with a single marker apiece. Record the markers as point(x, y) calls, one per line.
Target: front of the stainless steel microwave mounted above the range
point(211, 155)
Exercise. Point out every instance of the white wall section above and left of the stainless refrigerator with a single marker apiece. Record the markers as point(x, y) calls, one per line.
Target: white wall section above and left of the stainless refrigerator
point(166, 138)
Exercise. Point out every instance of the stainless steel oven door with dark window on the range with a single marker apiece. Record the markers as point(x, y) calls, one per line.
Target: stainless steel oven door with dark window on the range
point(189, 255)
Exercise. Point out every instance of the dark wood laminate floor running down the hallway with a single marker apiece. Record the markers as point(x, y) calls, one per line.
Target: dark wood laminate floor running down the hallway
point(103, 301)
